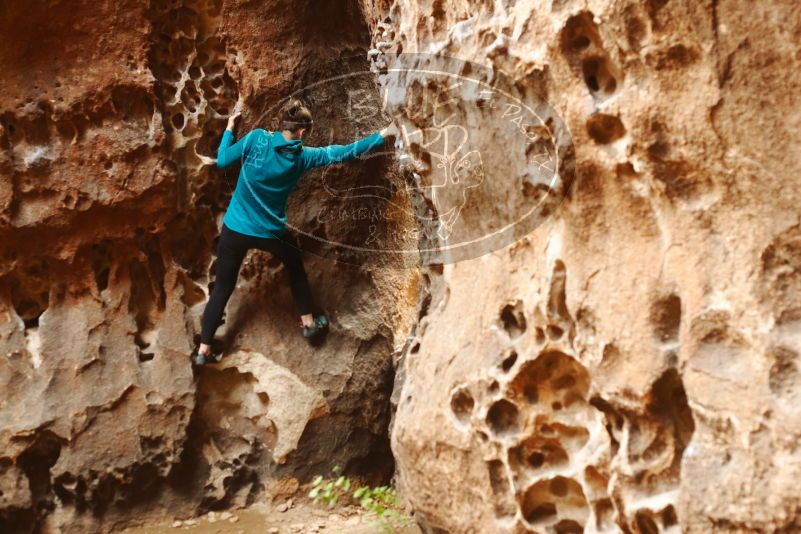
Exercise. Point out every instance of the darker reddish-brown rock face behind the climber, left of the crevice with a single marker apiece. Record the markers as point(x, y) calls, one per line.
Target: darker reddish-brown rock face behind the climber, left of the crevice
point(108, 214)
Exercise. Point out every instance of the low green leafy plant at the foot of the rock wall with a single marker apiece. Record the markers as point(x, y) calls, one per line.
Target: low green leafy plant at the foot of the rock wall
point(382, 501)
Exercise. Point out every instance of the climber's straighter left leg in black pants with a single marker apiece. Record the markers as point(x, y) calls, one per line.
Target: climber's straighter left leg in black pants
point(231, 250)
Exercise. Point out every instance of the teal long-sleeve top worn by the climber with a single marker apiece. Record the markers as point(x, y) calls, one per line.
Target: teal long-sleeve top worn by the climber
point(271, 168)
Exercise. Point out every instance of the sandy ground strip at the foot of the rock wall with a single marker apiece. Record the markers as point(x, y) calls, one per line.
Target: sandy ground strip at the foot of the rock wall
point(263, 519)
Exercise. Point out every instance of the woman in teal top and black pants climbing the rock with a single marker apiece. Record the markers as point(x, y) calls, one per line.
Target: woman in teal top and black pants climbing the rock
point(272, 163)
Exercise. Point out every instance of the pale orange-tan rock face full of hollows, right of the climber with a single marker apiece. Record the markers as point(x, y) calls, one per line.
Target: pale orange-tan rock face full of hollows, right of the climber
point(631, 365)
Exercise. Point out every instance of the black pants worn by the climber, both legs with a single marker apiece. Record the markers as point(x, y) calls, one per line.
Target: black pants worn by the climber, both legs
point(231, 250)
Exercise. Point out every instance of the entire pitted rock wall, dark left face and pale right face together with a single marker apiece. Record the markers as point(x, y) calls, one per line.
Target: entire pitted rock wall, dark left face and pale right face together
point(630, 365)
